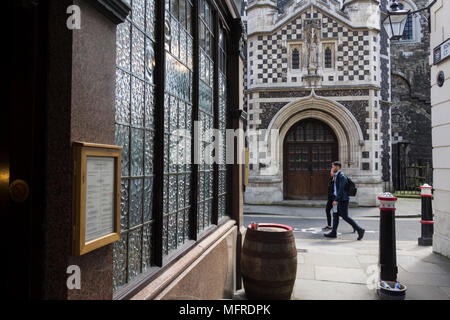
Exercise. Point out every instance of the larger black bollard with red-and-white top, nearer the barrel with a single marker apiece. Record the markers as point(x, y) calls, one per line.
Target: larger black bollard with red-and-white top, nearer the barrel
point(387, 250)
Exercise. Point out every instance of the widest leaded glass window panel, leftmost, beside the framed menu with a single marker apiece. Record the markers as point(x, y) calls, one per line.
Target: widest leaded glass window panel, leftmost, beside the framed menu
point(135, 133)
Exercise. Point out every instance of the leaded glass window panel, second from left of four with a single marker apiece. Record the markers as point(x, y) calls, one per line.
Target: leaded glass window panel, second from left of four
point(177, 124)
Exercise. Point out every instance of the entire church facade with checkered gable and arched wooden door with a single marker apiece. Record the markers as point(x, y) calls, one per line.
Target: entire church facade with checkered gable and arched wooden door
point(318, 90)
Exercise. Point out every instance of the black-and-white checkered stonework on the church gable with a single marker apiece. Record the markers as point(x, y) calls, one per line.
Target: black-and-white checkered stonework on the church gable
point(269, 55)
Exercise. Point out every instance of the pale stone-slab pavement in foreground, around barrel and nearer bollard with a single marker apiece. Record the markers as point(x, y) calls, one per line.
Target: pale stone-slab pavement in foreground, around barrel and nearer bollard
point(348, 270)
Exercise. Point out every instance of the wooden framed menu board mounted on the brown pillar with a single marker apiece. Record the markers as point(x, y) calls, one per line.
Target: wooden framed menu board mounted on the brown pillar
point(96, 192)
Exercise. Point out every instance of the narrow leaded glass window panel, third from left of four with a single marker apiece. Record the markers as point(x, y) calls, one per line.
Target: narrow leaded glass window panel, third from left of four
point(206, 117)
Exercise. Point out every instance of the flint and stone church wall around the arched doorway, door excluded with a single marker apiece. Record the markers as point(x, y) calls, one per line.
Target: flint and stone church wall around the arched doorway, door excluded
point(357, 82)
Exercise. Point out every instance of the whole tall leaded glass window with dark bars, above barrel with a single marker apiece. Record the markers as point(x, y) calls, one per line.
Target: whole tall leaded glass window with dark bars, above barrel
point(151, 234)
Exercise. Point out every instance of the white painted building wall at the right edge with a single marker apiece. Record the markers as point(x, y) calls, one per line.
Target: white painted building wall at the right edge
point(440, 101)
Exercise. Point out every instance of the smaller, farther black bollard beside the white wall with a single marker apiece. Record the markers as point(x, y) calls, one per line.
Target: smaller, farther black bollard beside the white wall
point(427, 216)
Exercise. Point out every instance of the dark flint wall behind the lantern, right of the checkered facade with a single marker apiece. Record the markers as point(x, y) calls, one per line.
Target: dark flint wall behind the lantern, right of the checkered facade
point(411, 108)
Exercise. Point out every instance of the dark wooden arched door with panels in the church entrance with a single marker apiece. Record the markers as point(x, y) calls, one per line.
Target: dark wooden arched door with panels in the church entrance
point(309, 149)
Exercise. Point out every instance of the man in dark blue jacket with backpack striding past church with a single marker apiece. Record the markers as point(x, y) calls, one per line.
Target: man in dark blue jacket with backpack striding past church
point(341, 200)
